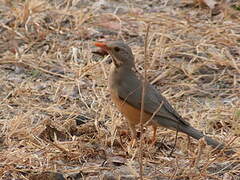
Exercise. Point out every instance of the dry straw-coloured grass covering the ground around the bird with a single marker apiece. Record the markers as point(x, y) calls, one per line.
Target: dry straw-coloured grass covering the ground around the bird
point(49, 79)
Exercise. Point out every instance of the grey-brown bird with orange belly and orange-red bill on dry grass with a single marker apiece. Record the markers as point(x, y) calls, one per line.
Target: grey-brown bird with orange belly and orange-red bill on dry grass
point(126, 84)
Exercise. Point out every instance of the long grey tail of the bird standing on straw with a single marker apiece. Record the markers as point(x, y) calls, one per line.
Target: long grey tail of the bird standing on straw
point(196, 134)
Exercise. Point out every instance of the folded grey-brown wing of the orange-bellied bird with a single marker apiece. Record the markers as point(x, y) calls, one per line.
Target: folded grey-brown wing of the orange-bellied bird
point(130, 90)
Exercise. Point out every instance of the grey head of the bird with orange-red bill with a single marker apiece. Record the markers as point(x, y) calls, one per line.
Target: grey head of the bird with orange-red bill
point(120, 53)
